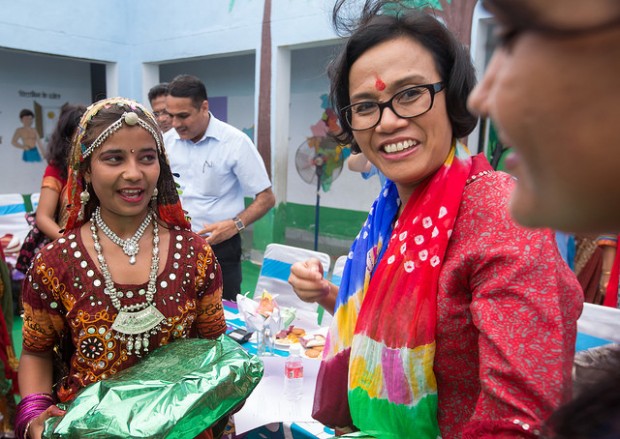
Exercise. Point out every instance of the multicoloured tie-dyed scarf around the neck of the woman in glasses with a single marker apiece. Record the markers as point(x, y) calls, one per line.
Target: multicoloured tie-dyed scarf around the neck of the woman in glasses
point(377, 371)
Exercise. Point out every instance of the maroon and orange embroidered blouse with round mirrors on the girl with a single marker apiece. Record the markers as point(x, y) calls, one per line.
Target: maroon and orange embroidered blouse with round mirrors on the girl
point(63, 294)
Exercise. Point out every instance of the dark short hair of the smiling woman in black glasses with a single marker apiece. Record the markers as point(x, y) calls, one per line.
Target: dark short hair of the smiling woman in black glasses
point(451, 58)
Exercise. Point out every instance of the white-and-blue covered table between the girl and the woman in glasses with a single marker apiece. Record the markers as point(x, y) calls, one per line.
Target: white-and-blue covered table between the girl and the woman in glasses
point(279, 418)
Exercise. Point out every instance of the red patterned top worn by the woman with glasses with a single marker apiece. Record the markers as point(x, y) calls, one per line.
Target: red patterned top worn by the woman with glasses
point(507, 309)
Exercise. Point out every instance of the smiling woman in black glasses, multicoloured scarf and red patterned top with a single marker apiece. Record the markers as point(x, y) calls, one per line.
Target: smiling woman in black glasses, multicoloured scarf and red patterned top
point(451, 321)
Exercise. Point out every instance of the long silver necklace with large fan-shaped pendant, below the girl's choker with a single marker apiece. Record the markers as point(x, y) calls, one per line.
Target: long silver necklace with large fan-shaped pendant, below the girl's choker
point(134, 324)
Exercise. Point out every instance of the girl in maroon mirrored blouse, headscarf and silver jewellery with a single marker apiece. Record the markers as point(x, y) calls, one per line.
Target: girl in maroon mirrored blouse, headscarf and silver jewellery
point(127, 276)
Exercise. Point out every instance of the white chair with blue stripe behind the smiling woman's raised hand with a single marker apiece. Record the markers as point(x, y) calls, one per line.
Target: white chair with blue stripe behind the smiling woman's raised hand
point(274, 273)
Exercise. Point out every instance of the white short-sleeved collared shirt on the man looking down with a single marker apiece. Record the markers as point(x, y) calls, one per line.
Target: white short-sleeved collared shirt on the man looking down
point(216, 173)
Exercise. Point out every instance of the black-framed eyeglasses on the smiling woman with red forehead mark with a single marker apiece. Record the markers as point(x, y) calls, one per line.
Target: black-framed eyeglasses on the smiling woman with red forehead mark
point(411, 102)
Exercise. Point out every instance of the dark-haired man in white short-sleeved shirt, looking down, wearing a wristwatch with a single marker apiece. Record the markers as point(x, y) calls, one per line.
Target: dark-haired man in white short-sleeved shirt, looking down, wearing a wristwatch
point(217, 165)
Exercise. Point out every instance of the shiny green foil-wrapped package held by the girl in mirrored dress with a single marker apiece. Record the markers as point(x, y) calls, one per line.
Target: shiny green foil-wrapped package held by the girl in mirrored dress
point(177, 391)
